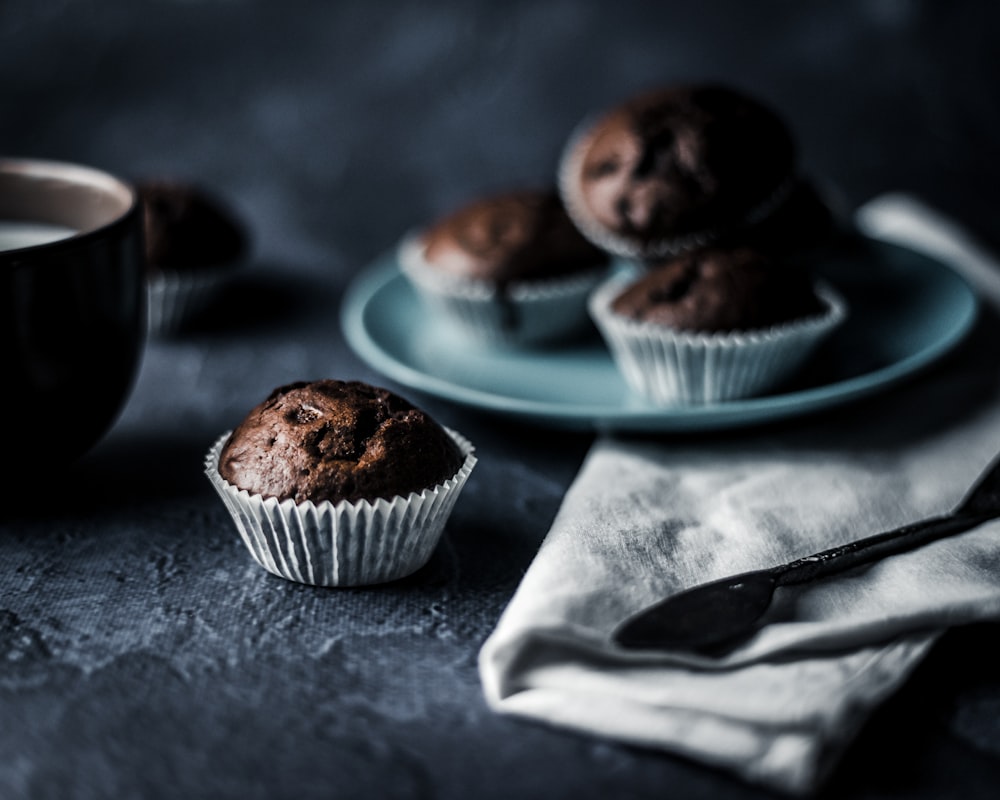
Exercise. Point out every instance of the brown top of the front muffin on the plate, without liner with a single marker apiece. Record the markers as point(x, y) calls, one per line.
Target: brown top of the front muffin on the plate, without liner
point(719, 290)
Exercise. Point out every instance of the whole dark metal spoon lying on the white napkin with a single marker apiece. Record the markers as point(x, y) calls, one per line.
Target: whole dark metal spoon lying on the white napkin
point(713, 616)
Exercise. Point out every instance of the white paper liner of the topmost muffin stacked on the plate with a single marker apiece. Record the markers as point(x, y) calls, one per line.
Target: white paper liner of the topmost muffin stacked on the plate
point(626, 247)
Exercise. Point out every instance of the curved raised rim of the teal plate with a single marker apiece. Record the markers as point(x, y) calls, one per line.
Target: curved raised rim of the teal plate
point(380, 272)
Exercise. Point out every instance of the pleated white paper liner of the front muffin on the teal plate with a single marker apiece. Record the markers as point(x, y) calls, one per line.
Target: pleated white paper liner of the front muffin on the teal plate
point(673, 367)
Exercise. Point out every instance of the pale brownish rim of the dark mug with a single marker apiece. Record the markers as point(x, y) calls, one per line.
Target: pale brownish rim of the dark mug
point(79, 175)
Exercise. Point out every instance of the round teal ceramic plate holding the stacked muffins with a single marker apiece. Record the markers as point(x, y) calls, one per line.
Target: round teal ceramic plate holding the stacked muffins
point(906, 310)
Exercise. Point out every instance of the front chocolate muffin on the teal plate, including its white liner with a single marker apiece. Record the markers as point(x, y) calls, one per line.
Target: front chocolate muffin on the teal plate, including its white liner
point(713, 324)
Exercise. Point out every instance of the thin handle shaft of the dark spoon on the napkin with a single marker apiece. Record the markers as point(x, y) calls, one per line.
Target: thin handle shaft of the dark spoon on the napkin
point(875, 547)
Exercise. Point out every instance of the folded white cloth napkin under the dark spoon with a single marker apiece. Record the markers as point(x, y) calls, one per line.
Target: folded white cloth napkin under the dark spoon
point(646, 517)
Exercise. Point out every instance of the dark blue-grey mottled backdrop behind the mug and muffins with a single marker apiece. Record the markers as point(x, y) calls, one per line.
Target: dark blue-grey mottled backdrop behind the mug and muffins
point(337, 125)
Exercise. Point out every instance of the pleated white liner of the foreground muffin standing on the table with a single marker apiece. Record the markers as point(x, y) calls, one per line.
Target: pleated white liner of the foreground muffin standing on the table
point(345, 543)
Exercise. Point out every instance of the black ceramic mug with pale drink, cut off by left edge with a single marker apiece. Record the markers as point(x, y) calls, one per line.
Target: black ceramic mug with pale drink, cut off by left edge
point(72, 307)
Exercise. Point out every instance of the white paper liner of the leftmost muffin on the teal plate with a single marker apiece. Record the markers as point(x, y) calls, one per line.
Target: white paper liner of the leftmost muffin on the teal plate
point(525, 314)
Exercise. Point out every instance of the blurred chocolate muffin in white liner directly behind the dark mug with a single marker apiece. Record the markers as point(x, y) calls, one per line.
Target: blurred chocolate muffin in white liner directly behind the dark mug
point(193, 244)
